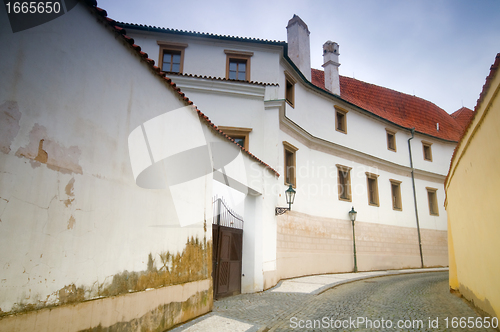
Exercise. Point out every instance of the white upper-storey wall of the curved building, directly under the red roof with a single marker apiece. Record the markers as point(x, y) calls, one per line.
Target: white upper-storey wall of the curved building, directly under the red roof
point(316, 114)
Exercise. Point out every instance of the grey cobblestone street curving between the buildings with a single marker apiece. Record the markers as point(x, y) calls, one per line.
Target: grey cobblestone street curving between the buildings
point(414, 301)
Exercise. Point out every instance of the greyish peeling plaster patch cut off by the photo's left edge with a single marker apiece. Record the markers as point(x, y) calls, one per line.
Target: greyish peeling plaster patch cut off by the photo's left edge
point(9, 124)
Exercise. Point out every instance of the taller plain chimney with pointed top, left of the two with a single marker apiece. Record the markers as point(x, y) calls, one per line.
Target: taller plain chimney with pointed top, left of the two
point(298, 45)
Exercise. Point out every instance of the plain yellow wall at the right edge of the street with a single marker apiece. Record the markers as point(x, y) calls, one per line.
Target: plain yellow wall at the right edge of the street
point(473, 205)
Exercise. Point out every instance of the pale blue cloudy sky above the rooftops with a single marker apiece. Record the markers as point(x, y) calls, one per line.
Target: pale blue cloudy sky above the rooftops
point(439, 50)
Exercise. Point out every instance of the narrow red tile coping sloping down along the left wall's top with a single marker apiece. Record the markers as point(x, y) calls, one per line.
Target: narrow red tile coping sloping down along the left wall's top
point(144, 57)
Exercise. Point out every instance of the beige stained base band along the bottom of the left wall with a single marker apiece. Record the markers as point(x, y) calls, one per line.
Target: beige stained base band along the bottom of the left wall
point(151, 310)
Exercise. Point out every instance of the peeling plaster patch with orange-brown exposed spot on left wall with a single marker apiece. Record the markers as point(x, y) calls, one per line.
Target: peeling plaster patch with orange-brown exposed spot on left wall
point(42, 149)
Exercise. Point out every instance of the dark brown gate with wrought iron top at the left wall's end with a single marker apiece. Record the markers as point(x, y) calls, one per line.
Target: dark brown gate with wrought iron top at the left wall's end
point(227, 237)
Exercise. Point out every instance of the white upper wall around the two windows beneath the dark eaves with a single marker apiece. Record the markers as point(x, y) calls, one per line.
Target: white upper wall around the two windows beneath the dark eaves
point(206, 57)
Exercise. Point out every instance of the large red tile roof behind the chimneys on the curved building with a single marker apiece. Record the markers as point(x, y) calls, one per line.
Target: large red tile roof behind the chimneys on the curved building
point(404, 110)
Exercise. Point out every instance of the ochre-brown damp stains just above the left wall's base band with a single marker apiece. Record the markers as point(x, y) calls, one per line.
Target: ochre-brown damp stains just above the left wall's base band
point(193, 264)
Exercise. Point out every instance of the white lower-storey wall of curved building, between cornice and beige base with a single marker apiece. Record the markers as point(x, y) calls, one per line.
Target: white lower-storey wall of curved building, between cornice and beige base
point(317, 191)
